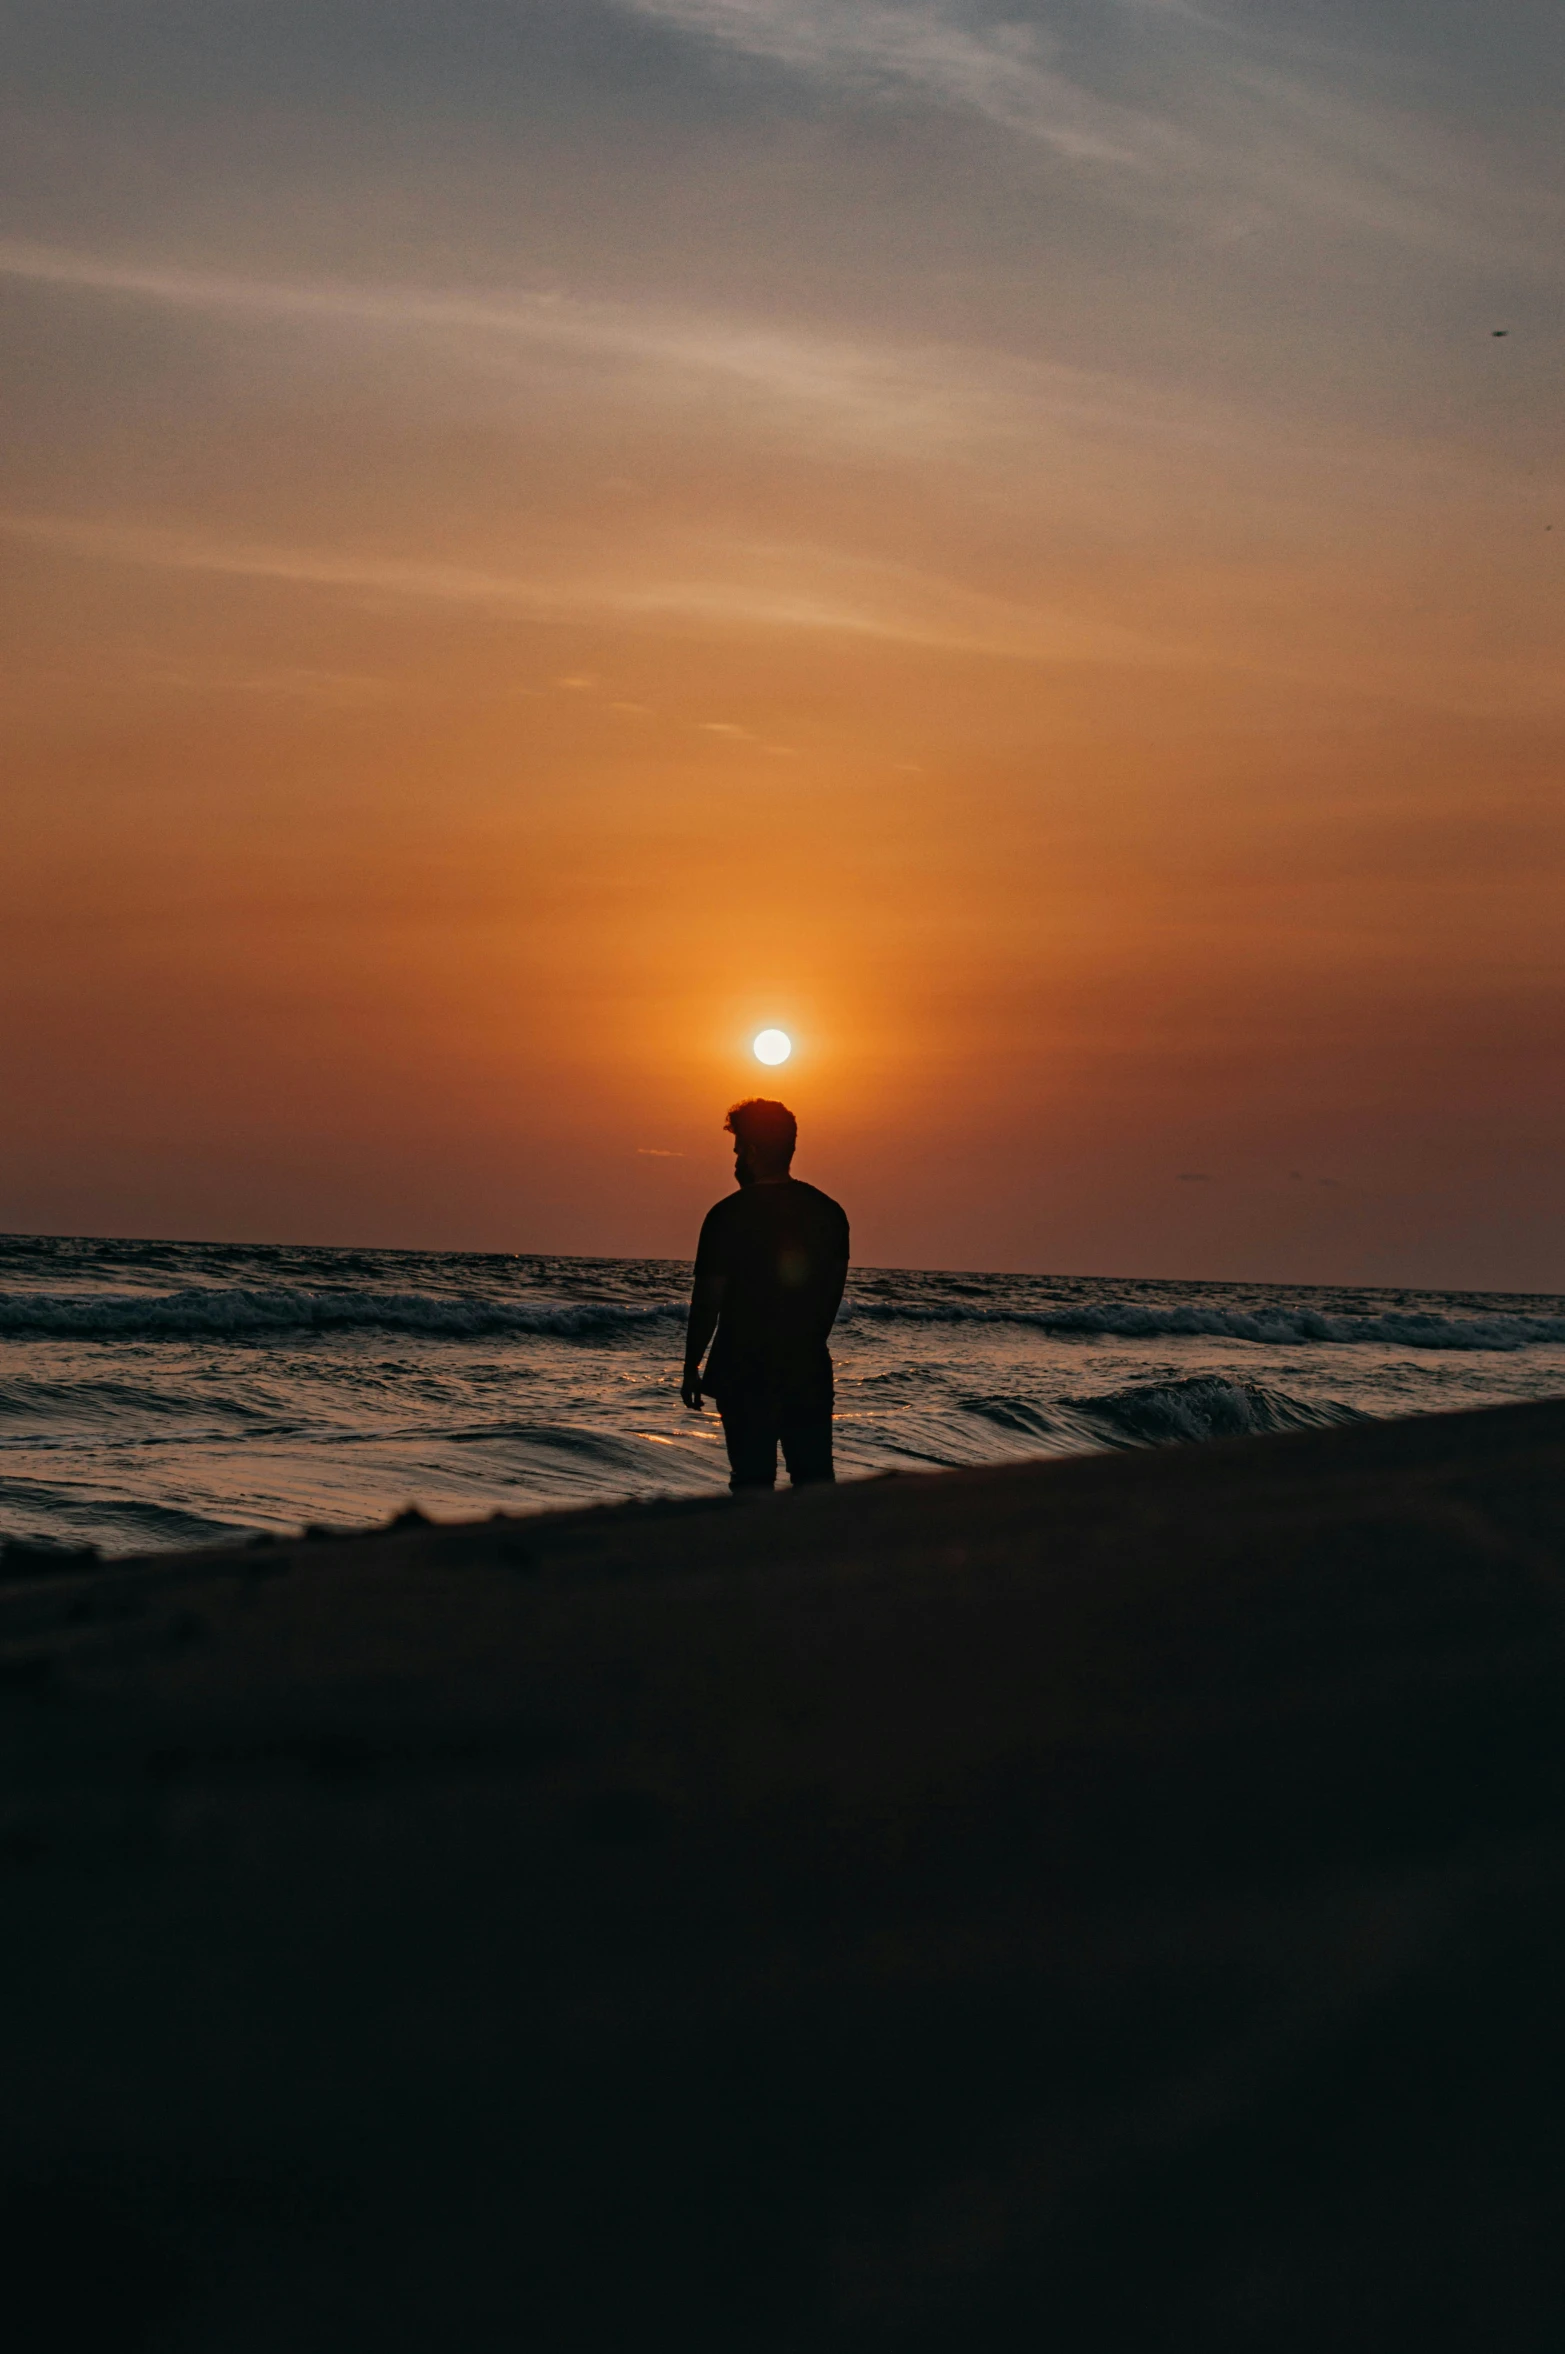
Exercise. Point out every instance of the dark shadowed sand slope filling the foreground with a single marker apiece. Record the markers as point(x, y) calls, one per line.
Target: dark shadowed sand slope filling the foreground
point(1107, 1903)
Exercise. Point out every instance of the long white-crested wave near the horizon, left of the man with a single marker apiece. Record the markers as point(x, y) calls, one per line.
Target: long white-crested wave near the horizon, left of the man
point(262, 1315)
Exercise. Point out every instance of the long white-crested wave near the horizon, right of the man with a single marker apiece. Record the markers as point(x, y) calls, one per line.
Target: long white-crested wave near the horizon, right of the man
point(1131, 1319)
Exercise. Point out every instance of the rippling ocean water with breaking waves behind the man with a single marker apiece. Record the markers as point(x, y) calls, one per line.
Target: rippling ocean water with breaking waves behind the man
point(159, 1395)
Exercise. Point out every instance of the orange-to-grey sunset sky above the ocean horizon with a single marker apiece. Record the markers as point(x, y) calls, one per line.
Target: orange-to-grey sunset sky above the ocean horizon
point(1018, 543)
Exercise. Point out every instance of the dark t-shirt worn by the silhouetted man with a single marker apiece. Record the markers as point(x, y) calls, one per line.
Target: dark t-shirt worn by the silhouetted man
point(782, 1251)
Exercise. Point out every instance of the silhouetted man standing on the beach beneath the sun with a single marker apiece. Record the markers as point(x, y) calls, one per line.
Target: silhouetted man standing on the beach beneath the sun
point(771, 1272)
